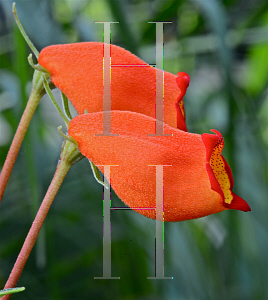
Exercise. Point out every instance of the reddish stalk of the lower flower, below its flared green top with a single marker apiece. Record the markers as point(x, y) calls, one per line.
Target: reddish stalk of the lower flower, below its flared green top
point(62, 169)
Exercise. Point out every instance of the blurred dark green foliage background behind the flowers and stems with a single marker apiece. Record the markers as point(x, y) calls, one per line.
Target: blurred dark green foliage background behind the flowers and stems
point(223, 45)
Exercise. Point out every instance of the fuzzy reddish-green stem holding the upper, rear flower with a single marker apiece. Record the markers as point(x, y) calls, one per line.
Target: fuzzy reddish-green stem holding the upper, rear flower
point(35, 97)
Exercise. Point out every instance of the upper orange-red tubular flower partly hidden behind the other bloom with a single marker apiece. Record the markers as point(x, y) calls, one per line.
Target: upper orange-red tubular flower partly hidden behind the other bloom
point(77, 70)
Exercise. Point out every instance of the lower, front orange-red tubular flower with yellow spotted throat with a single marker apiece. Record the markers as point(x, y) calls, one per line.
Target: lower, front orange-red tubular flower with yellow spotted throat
point(197, 181)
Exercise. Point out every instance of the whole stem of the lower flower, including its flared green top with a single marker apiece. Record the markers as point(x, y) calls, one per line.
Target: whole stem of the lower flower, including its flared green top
point(69, 156)
